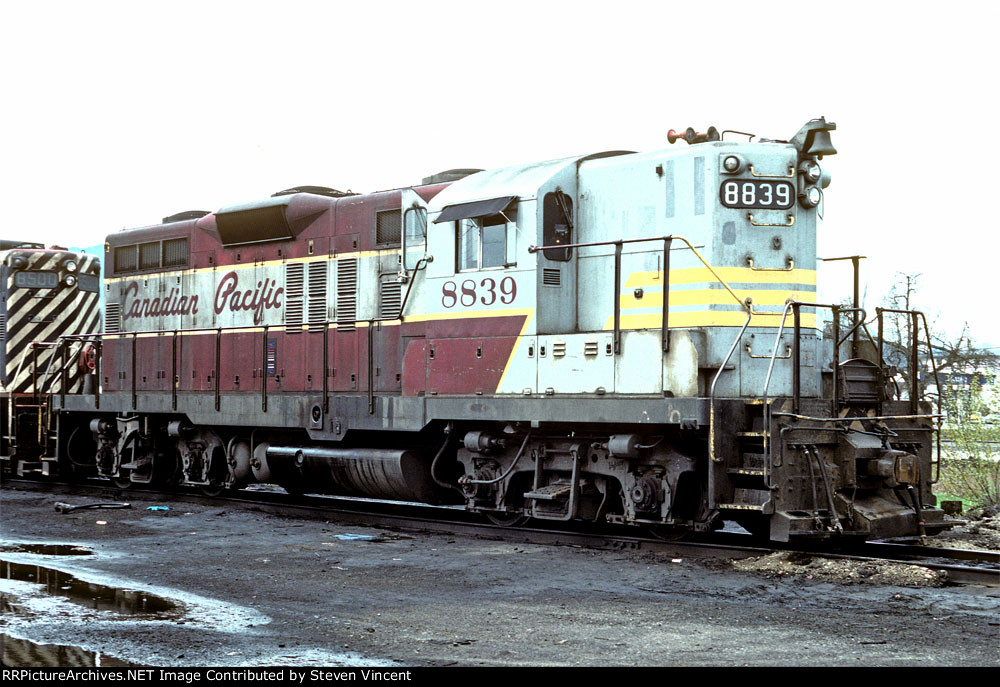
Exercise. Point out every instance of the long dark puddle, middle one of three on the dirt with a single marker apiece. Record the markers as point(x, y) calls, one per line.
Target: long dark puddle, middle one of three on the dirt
point(89, 594)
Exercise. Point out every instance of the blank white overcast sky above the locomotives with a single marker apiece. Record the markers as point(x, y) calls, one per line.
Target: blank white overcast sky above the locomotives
point(115, 115)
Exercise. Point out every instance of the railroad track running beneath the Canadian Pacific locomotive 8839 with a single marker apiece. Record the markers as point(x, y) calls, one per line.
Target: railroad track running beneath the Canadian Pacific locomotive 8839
point(962, 566)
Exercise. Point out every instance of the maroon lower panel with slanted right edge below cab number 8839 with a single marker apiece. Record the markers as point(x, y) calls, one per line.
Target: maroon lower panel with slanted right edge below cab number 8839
point(468, 366)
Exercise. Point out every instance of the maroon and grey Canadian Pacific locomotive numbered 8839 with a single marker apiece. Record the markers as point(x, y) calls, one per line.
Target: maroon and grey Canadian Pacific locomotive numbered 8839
point(615, 337)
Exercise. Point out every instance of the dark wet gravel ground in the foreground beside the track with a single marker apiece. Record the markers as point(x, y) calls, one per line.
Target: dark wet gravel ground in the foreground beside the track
point(258, 589)
